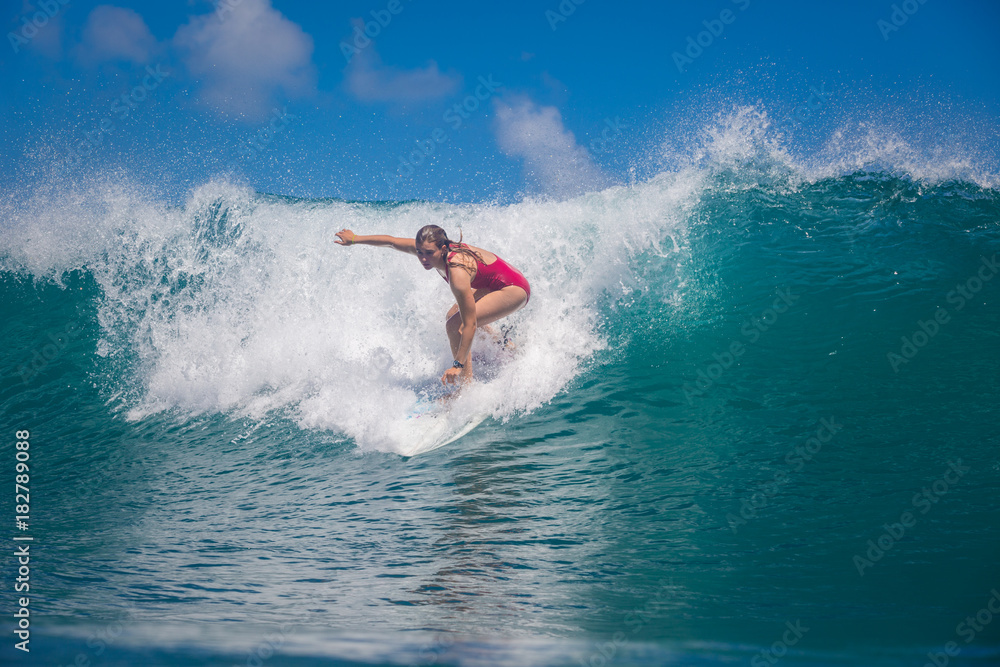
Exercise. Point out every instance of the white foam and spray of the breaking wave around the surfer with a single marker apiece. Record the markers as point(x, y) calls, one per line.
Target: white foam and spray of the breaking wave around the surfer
point(242, 304)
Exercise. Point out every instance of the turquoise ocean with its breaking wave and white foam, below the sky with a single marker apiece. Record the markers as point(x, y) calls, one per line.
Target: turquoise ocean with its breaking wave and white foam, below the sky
point(752, 418)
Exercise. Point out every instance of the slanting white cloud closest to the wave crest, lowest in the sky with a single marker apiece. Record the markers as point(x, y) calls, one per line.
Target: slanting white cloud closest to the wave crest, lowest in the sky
point(552, 158)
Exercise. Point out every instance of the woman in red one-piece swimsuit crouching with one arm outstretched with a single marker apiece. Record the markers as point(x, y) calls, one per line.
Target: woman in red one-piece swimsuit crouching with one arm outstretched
point(486, 288)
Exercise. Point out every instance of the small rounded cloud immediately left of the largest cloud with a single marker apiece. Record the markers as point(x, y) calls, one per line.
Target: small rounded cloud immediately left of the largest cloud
point(115, 33)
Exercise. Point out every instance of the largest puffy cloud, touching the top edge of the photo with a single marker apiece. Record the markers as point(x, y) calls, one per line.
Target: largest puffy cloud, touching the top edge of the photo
point(248, 57)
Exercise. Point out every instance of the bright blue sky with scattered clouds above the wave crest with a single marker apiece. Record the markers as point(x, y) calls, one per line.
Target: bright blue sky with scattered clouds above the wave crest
point(503, 99)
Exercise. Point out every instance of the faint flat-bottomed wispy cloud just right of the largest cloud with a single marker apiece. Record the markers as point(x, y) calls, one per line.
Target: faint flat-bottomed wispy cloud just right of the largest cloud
point(371, 81)
